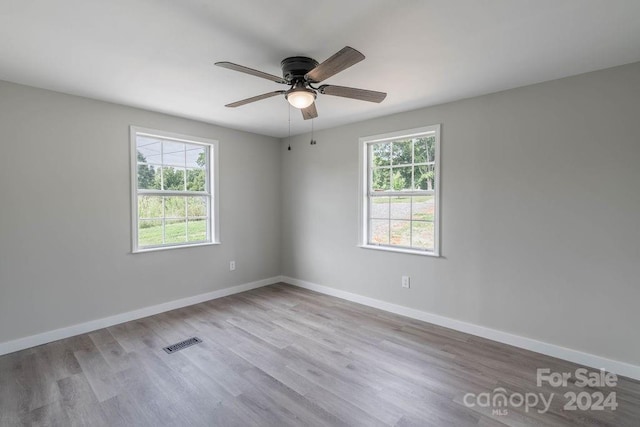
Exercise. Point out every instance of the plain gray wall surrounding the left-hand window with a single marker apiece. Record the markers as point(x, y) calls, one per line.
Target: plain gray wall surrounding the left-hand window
point(65, 236)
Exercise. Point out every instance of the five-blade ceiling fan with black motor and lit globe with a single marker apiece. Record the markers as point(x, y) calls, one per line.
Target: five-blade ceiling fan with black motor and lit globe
point(302, 73)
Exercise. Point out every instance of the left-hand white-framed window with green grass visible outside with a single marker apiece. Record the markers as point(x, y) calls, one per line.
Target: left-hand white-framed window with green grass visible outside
point(173, 182)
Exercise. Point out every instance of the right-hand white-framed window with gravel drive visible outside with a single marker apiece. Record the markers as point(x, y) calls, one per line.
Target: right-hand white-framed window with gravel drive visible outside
point(399, 183)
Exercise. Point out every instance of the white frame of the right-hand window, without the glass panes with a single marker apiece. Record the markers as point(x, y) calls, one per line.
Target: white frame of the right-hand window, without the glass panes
point(365, 186)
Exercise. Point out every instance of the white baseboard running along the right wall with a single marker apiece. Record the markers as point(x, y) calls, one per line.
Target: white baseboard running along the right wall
point(586, 359)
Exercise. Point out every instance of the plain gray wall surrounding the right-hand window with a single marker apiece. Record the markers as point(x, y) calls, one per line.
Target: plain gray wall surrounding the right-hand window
point(540, 213)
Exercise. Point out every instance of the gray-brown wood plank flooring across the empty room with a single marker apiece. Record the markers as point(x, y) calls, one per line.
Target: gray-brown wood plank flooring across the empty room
point(284, 356)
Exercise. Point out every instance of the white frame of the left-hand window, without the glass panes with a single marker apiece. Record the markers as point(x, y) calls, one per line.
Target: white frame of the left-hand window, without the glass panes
point(212, 191)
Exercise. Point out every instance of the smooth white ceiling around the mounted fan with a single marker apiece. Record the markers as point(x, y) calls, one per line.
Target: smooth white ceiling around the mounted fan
point(159, 54)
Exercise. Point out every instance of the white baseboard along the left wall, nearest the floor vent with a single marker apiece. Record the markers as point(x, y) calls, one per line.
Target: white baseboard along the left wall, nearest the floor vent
point(69, 331)
